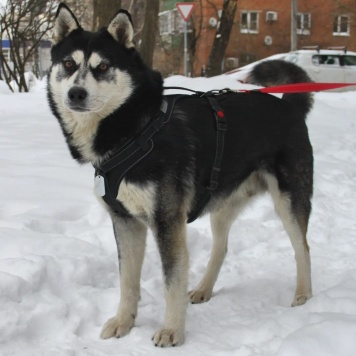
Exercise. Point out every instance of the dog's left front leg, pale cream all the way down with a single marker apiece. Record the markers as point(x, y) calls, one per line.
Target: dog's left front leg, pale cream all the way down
point(130, 236)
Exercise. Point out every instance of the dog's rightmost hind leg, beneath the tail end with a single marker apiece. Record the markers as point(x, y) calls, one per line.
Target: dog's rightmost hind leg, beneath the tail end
point(294, 208)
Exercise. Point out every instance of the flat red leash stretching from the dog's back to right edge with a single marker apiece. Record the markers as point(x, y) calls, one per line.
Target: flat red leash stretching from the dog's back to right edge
point(299, 88)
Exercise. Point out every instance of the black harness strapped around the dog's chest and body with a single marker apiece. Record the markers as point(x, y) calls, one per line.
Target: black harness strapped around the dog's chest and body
point(110, 173)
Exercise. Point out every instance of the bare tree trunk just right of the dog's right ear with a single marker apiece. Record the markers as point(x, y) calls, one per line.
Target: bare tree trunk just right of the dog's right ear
point(149, 31)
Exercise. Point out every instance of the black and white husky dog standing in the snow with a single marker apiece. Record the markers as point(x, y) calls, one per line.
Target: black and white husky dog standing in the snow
point(106, 100)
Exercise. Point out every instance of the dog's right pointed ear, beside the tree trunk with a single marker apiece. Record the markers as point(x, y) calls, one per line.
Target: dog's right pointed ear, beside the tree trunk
point(121, 28)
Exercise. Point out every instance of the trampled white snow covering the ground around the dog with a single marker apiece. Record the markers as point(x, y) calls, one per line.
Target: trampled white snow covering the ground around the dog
point(58, 264)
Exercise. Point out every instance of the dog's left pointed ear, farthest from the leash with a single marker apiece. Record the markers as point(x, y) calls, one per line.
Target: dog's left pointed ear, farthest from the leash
point(64, 23)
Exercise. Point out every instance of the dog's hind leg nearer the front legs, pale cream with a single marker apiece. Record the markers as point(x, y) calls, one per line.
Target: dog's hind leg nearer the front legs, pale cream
point(221, 222)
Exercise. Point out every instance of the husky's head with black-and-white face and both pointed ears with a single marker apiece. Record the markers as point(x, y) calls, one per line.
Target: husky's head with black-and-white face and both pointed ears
point(90, 74)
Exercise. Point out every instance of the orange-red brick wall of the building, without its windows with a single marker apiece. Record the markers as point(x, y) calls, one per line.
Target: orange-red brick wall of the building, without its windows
point(272, 36)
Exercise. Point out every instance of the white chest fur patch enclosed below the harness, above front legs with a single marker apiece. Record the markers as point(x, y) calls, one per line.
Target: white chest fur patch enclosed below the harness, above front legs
point(138, 200)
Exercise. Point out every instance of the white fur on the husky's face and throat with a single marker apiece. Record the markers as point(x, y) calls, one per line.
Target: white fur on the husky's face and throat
point(103, 98)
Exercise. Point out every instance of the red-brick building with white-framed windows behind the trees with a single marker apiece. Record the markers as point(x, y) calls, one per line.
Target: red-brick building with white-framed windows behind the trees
point(263, 27)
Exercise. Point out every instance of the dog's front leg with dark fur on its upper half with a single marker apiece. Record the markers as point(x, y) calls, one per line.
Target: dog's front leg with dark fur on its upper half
point(171, 239)
